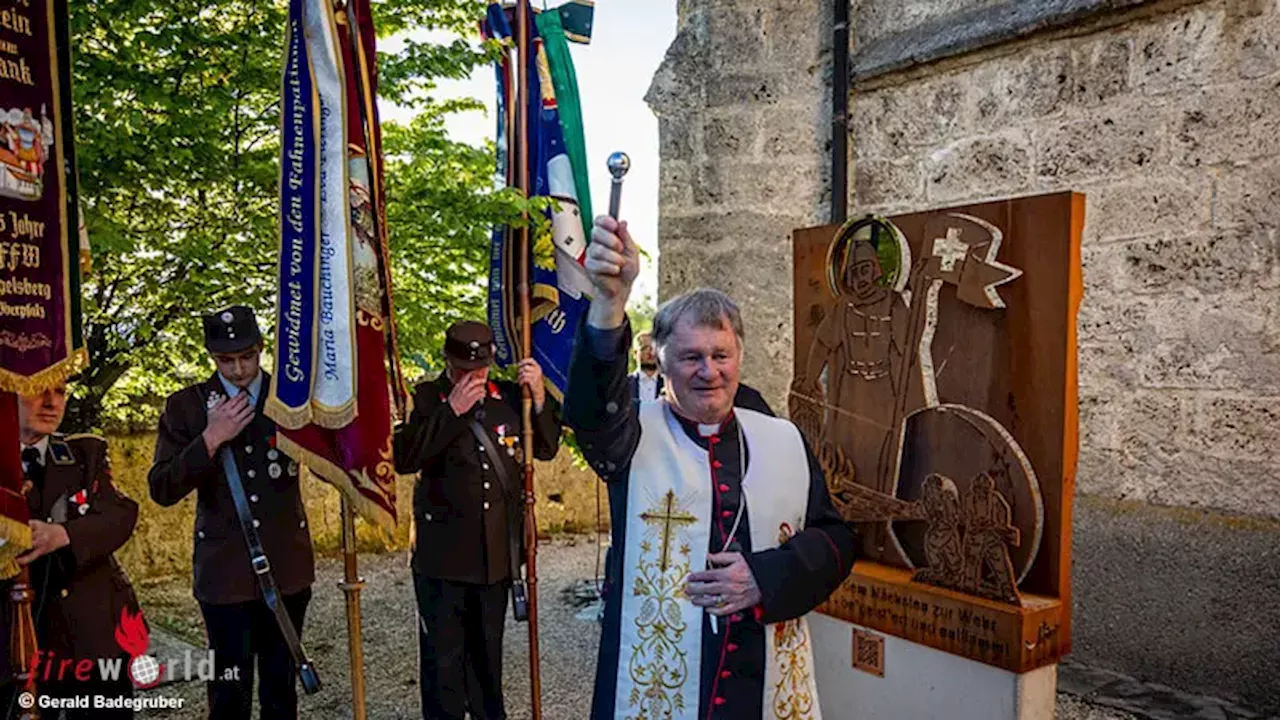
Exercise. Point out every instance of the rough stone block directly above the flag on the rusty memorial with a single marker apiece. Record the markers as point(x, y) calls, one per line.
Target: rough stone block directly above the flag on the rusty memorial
point(985, 167)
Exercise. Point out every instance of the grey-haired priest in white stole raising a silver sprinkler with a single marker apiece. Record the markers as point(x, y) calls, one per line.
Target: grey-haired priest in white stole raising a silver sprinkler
point(724, 534)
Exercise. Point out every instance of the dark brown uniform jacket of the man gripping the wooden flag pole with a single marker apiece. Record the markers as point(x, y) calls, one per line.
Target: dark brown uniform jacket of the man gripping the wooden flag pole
point(464, 517)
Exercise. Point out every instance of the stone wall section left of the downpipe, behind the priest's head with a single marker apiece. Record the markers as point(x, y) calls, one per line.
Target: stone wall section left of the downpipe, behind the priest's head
point(744, 120)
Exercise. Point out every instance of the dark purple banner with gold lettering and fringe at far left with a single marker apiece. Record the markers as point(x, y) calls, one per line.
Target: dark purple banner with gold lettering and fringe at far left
point(40, 313)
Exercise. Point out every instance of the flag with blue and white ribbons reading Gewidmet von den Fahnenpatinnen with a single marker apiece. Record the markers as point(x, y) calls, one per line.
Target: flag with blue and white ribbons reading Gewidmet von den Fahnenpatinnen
point(337, 371)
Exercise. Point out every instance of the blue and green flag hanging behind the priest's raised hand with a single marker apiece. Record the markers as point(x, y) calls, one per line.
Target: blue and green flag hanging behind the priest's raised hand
point(561, 289)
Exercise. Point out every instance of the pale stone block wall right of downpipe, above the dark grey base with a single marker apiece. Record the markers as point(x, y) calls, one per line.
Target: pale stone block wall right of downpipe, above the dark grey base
point(1172, 129)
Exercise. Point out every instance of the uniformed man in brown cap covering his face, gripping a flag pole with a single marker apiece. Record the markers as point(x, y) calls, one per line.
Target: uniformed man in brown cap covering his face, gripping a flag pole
point(469, 518)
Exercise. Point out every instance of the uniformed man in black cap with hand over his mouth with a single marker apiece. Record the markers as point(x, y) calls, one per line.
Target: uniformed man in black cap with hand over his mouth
point(198, 422)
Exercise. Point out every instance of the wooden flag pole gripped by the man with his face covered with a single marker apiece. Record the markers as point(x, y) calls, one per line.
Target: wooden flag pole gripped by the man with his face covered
point(527, 352)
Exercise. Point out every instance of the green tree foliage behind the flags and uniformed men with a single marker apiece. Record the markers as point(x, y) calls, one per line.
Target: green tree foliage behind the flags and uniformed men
point(177, 122)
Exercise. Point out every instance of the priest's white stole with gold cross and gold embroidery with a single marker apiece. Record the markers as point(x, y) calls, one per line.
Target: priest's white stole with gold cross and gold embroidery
point(670, 511)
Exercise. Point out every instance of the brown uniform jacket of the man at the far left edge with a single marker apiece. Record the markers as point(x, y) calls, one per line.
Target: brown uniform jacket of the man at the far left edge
point(81, 590)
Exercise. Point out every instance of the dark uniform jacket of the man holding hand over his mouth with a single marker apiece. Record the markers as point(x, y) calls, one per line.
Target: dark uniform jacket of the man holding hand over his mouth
point(182, 464)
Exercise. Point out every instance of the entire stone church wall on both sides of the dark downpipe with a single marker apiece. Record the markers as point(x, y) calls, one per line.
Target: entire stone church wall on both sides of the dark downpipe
point(1168, 119)
